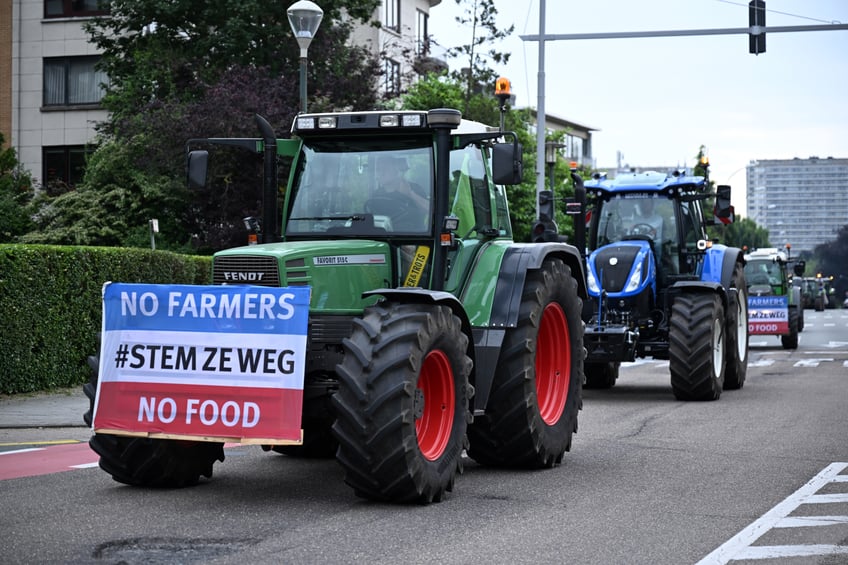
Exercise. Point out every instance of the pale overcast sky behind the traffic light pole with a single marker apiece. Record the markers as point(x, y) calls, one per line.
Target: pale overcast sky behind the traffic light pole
point(657, 100)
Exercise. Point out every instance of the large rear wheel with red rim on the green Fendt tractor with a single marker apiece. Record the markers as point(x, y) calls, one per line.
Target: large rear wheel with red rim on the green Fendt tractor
point(536, 393)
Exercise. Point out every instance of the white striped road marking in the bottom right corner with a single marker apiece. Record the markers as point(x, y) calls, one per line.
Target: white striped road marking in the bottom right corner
point(739, 546)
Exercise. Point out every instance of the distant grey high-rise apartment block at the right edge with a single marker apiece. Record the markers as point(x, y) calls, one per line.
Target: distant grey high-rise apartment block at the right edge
point(803, 202)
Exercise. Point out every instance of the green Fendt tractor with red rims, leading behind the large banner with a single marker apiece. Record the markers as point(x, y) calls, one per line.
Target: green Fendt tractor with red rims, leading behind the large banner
point(431, 332)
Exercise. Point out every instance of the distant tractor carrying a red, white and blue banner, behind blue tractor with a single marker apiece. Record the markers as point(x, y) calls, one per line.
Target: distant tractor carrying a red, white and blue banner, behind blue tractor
point(774, 302)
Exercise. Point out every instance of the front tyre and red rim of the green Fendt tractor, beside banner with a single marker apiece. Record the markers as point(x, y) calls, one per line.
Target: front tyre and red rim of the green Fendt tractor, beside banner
point(402, 408)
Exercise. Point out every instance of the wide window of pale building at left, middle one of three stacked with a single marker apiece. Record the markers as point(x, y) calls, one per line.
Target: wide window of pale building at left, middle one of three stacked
point(70, 81)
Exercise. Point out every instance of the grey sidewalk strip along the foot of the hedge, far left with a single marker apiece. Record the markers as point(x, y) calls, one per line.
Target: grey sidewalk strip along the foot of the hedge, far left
point(57, 409)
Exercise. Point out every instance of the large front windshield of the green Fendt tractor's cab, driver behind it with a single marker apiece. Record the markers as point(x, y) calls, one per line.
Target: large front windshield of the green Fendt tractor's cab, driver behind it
point(362, 188)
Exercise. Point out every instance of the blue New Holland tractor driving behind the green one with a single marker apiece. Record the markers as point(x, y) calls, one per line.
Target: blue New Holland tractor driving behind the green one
point(658, 286)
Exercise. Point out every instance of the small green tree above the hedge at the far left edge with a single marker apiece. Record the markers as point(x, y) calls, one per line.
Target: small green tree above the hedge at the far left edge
point(16, 192)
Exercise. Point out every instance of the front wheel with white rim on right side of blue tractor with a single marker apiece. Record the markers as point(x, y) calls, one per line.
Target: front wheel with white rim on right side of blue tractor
point(697, 346)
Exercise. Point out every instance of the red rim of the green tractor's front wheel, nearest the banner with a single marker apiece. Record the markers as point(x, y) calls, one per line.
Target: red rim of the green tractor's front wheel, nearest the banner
point(435, 424)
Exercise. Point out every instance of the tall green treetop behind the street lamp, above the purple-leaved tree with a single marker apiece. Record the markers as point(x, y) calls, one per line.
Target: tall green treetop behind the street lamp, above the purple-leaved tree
point(173, 49)
